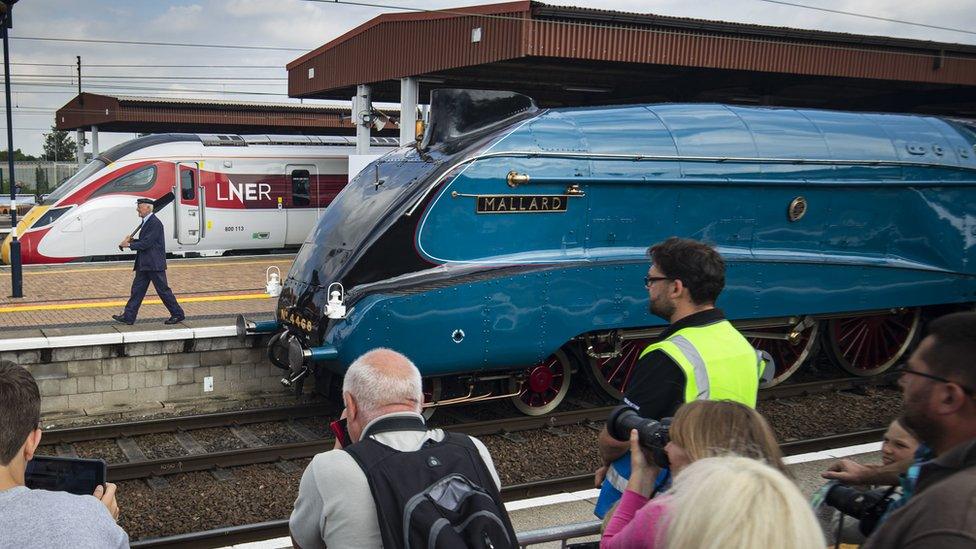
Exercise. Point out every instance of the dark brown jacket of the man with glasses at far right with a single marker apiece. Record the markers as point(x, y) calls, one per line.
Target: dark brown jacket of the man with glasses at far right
point(942, 512)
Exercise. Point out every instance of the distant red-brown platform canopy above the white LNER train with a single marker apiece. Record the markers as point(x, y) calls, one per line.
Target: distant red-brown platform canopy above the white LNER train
point(117, 113)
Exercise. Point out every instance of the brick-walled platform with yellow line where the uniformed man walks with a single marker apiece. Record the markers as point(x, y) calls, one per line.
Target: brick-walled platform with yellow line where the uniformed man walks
point(88, 365)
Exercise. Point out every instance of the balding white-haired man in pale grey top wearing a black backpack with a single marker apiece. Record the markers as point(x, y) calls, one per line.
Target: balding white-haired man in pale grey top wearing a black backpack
point(383, 396)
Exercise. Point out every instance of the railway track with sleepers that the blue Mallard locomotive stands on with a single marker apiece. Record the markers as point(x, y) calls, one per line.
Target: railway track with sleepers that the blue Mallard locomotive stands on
point(256, 451)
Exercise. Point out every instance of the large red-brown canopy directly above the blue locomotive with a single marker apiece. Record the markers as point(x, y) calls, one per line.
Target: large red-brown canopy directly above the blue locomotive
point(580, 56)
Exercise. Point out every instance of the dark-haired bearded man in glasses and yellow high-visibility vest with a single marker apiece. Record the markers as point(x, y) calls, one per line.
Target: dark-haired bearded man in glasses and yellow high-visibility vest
point(700, 356)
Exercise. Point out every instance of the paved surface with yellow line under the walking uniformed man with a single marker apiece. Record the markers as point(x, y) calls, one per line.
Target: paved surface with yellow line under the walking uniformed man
point(88, 294)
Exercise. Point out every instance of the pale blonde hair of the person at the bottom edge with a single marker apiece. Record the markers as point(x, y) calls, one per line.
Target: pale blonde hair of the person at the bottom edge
point(737, 502)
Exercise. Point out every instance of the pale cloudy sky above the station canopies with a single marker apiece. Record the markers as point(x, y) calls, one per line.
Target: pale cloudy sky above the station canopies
point(303, 25)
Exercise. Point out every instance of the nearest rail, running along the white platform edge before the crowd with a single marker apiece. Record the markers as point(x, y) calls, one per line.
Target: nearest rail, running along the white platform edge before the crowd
point(279, 528)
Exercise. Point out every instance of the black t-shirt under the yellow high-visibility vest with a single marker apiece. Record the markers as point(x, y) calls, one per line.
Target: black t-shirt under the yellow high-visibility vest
point(657, 389)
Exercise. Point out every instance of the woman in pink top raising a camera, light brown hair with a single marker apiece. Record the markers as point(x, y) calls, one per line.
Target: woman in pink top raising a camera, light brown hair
point(700, 429)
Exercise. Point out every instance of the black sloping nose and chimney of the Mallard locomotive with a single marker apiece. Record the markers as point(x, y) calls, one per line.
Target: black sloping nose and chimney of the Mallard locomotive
point(363, 251)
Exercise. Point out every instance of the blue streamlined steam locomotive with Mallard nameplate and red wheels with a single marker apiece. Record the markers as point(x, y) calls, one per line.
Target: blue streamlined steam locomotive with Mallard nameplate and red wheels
point(505, 252)
